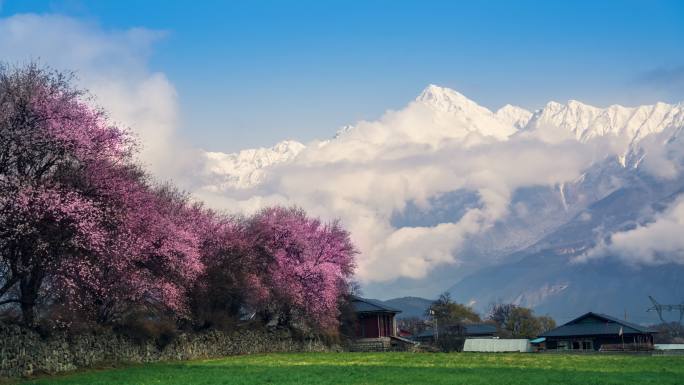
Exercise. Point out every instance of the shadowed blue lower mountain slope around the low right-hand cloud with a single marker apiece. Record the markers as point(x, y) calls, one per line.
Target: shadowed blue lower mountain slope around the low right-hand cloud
point(545, 276)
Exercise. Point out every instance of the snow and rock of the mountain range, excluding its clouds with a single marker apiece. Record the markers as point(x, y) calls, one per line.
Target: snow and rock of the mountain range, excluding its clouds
point(541, 252)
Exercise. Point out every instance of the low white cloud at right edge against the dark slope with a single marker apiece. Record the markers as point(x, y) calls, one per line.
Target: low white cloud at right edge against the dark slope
point(654, 243)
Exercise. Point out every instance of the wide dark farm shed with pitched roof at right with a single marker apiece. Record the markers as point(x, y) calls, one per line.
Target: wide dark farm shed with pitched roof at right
point(593, 332)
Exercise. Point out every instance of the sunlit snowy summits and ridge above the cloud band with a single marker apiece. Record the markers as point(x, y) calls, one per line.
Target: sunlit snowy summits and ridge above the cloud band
point(456, 116)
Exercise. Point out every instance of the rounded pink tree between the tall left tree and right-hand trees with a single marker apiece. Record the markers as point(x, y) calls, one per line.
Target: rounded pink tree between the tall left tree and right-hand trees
point(152, 256)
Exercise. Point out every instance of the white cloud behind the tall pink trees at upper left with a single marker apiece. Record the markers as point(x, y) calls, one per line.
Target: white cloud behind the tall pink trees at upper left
point(112, 65)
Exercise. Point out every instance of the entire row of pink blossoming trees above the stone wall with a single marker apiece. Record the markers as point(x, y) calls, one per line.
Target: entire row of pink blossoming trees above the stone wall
point(82, 224)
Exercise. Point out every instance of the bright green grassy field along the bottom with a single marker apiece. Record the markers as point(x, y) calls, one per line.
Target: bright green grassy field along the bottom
point(392, 368)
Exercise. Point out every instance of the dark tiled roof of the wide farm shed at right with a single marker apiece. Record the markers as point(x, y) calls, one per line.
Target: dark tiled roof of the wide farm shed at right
point(596, 324)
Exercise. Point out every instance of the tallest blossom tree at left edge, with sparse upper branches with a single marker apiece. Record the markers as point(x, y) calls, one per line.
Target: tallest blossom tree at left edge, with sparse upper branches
point(48, 222)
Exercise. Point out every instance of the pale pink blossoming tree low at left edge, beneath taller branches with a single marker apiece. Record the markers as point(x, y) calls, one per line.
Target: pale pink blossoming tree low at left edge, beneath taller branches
point(46, 233)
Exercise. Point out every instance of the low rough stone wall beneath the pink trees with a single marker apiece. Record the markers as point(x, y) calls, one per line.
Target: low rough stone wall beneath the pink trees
point(23, 352)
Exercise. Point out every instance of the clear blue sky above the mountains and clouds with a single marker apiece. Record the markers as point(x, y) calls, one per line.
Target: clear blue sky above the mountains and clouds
point(250, 73)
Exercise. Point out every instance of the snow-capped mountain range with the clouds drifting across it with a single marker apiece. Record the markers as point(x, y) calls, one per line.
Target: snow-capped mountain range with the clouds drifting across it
point(497, 206)
